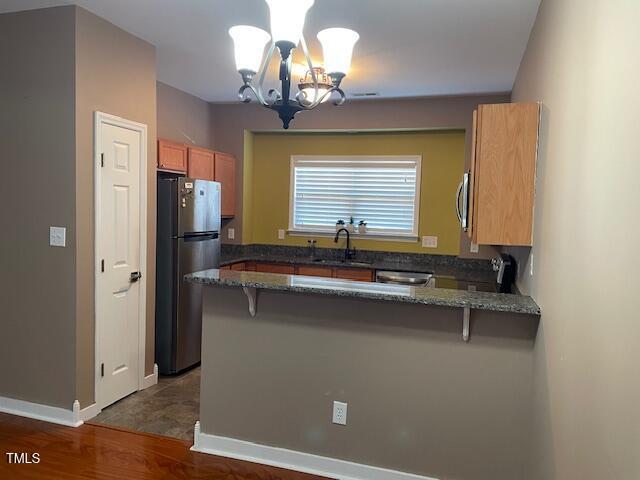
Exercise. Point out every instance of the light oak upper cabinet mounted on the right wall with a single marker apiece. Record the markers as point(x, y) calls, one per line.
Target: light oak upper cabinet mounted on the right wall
point(503, 170)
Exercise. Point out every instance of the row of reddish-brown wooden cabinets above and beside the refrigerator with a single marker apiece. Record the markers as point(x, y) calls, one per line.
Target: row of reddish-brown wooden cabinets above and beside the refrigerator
point(203, 164)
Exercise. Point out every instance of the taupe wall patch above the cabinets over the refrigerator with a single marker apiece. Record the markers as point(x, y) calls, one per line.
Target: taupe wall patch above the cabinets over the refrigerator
point(184, 118)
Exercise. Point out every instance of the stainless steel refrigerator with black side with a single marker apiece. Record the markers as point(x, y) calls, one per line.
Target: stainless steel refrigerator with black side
point(187, 241)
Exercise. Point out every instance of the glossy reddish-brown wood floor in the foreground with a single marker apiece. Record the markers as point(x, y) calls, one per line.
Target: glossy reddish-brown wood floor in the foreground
point(109, 453)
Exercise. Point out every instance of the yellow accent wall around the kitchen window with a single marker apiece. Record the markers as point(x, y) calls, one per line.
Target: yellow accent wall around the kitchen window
point(266, 203)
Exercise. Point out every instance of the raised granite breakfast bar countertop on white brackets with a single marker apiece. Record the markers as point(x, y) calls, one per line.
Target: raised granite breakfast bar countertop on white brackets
point(443, 297)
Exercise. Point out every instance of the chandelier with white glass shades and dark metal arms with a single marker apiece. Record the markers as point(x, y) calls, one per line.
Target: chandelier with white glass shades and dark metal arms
point(319, 84)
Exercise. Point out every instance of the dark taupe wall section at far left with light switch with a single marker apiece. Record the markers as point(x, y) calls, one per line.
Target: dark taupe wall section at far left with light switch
point(37, 282)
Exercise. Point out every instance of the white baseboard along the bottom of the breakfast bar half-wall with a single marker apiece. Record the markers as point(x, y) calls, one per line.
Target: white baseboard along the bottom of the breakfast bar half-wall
point(293, 460)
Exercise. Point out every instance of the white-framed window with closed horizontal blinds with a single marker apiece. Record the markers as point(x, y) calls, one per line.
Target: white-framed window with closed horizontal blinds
point(384, 191)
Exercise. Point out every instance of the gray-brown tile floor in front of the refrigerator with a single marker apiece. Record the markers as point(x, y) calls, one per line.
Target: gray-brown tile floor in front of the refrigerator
point(169, 408)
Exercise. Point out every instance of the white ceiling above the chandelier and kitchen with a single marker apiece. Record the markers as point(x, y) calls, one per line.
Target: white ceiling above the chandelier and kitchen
point(406, 47)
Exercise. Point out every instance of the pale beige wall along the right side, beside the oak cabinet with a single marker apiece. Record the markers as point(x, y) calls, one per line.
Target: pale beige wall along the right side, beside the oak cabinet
point(582, 62)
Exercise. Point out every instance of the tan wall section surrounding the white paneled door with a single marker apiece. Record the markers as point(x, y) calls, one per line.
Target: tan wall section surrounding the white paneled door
point(116, 74)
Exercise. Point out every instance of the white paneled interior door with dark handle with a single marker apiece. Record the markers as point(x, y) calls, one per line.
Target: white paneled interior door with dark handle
point(118, 235)
